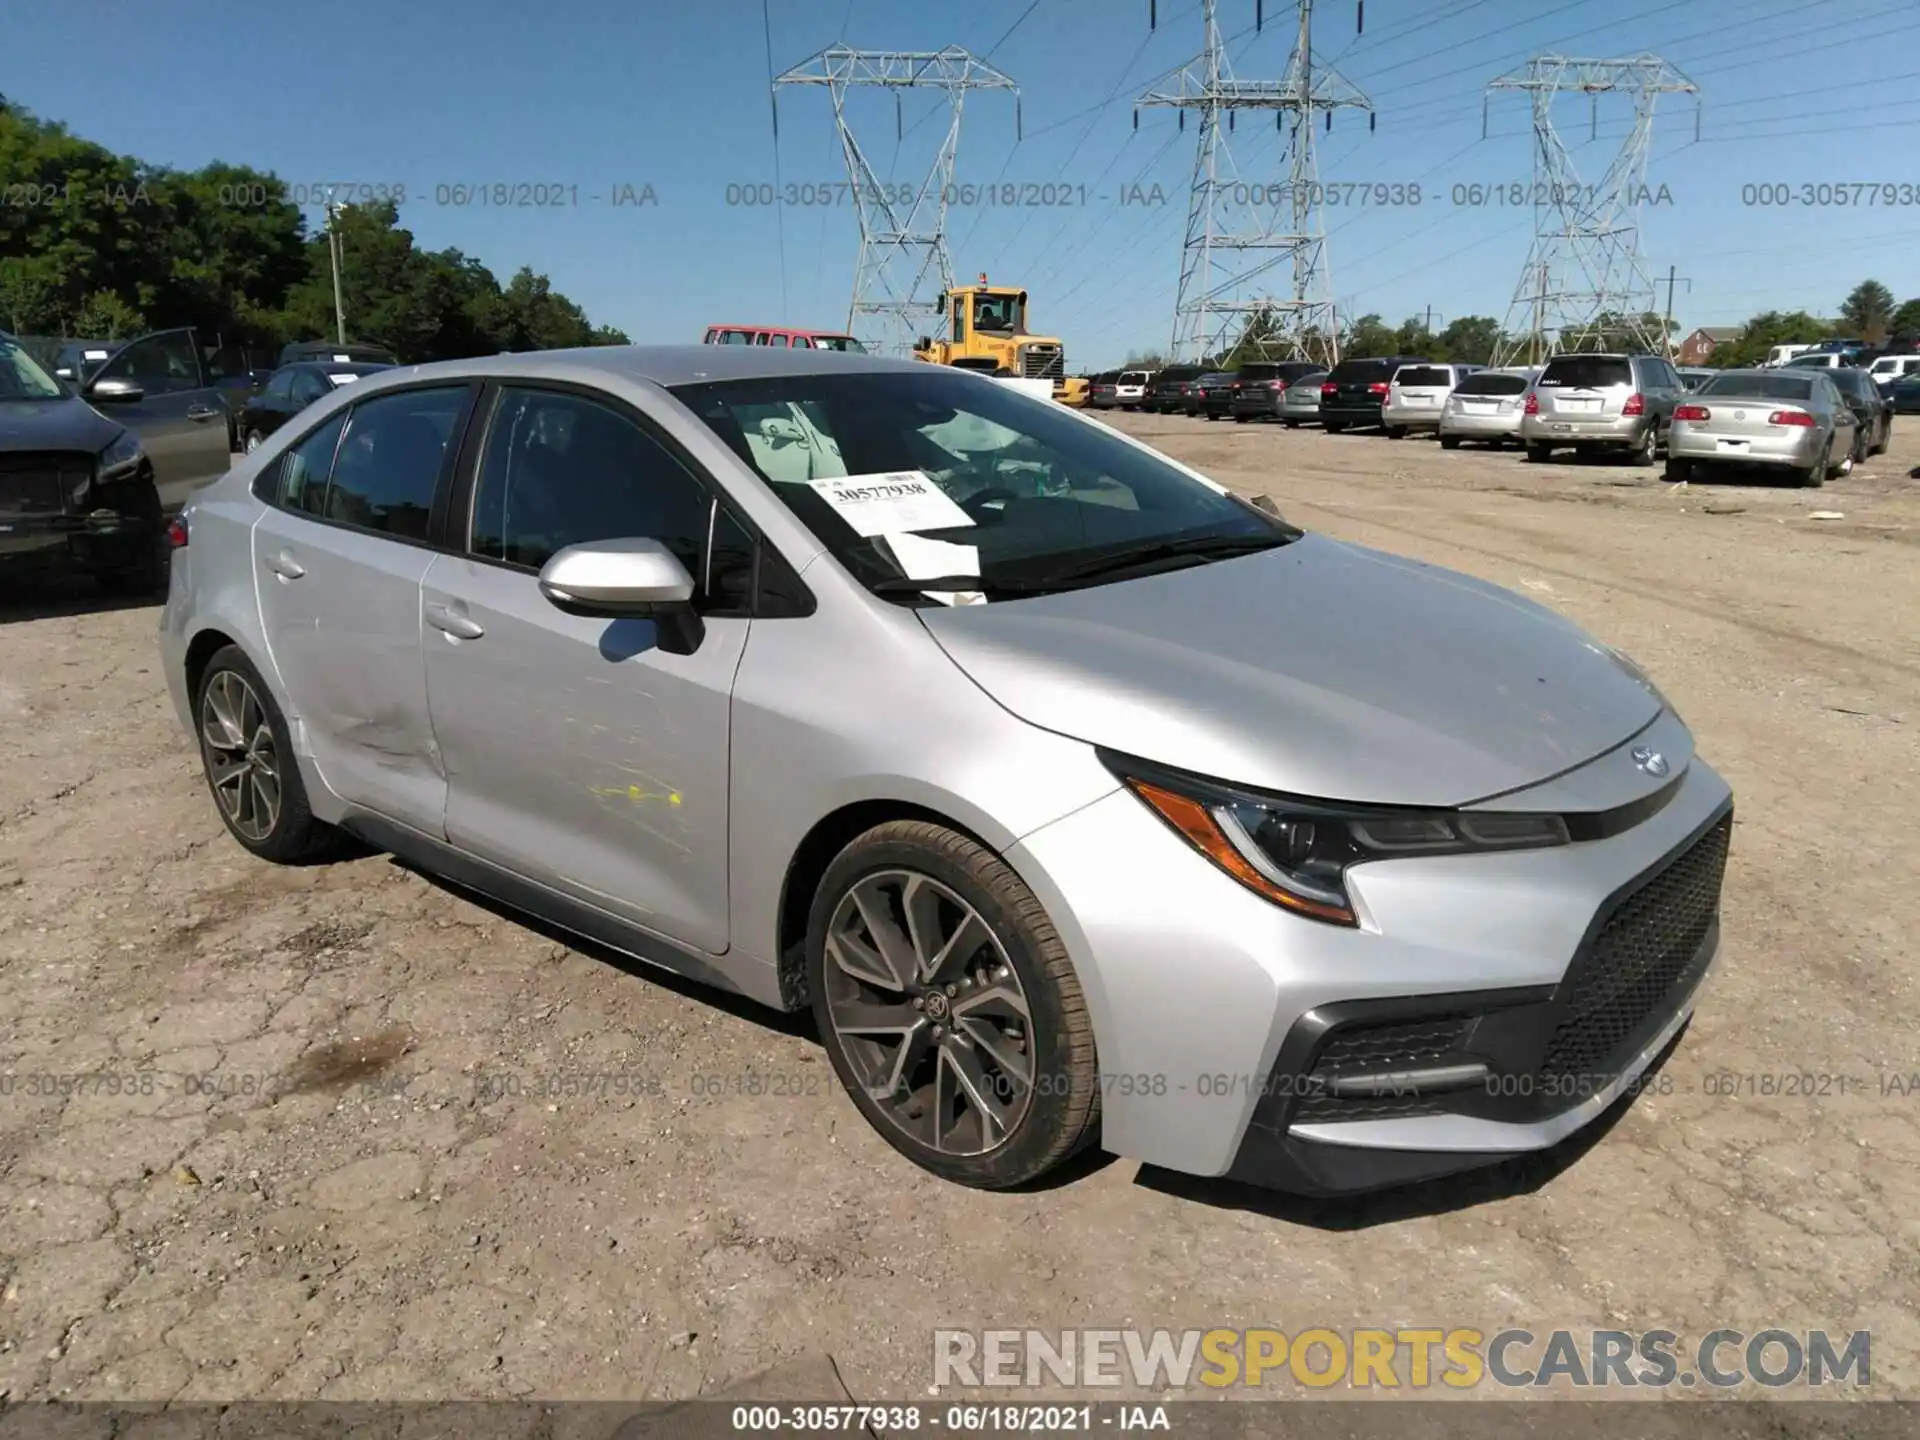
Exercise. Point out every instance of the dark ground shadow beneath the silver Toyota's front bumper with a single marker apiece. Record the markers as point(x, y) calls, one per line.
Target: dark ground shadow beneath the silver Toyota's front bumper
point(1464, 1191)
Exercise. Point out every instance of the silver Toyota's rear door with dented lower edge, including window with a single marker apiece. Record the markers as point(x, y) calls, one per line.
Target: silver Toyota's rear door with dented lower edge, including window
point(339, 562)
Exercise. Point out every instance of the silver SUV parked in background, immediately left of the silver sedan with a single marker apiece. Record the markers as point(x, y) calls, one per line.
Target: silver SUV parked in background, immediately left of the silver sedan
point(1600, 402)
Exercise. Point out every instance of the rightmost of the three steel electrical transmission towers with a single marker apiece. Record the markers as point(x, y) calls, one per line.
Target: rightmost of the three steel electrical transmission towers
point(1585, 285)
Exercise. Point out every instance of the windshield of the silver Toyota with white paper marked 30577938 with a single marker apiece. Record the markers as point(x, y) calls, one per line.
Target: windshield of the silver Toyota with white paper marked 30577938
point(940, 475)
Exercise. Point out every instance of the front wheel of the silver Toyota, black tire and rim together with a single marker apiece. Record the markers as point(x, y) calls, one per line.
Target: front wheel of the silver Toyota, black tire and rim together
point(949, 1007)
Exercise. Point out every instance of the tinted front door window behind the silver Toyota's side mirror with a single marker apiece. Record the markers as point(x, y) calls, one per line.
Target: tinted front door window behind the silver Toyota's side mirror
point(562, 469)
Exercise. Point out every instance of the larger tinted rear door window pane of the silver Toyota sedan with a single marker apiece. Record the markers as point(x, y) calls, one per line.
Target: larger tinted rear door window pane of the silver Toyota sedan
point(391, 462)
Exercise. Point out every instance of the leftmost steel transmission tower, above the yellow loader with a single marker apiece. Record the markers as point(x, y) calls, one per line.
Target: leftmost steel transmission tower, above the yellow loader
point(903, 268)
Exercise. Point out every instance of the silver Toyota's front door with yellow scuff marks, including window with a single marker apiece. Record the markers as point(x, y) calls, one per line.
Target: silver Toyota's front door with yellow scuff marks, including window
point(585, 754)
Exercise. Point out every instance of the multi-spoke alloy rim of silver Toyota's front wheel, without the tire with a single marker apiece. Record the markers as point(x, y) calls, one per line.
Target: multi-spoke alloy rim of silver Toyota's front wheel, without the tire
point(930, 1013)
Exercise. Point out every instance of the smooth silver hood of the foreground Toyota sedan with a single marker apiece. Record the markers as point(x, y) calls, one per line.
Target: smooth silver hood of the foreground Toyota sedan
point(1316, 669)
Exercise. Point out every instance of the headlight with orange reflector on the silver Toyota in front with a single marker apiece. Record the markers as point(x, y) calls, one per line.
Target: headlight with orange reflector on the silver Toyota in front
point(1297, 853)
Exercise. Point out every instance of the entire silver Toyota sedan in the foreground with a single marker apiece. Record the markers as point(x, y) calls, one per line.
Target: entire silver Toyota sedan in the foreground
point(959, 719)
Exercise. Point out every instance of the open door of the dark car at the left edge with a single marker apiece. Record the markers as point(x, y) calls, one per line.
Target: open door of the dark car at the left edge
point(180, 418)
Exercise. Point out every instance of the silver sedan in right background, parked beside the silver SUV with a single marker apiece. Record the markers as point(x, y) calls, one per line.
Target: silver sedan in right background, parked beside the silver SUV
point(1788, 420)
